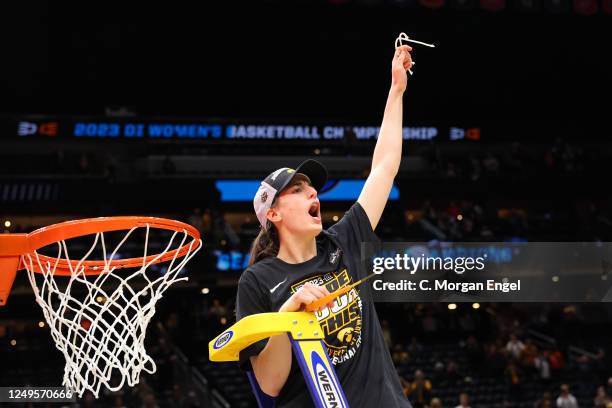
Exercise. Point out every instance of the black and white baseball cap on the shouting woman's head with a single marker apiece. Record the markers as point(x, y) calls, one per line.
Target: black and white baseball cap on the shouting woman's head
point(276, 181)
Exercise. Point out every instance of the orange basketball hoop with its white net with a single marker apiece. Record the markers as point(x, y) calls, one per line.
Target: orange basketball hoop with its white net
point(98, 310)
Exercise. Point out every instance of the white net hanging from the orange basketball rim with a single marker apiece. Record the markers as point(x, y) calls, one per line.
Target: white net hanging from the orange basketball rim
point(99, 322)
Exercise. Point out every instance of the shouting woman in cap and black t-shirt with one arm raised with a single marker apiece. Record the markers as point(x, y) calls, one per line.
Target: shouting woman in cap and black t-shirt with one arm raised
point(295, 262)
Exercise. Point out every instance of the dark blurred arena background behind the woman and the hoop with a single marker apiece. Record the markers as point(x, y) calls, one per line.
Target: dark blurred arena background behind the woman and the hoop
point(178, 110)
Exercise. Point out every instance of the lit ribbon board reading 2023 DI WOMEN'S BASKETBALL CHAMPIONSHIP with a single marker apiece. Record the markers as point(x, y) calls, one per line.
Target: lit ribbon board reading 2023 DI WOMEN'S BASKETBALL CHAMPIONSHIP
point(215, 131)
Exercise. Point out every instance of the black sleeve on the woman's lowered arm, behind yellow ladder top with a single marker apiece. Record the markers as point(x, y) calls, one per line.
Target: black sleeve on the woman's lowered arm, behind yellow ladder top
point(250, 300)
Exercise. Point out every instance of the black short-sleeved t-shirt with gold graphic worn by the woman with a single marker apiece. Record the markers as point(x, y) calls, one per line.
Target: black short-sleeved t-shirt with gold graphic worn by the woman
point(353, 335)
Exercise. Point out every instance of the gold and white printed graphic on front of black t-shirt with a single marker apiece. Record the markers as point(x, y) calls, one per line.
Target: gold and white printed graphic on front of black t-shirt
point(342, 323)
